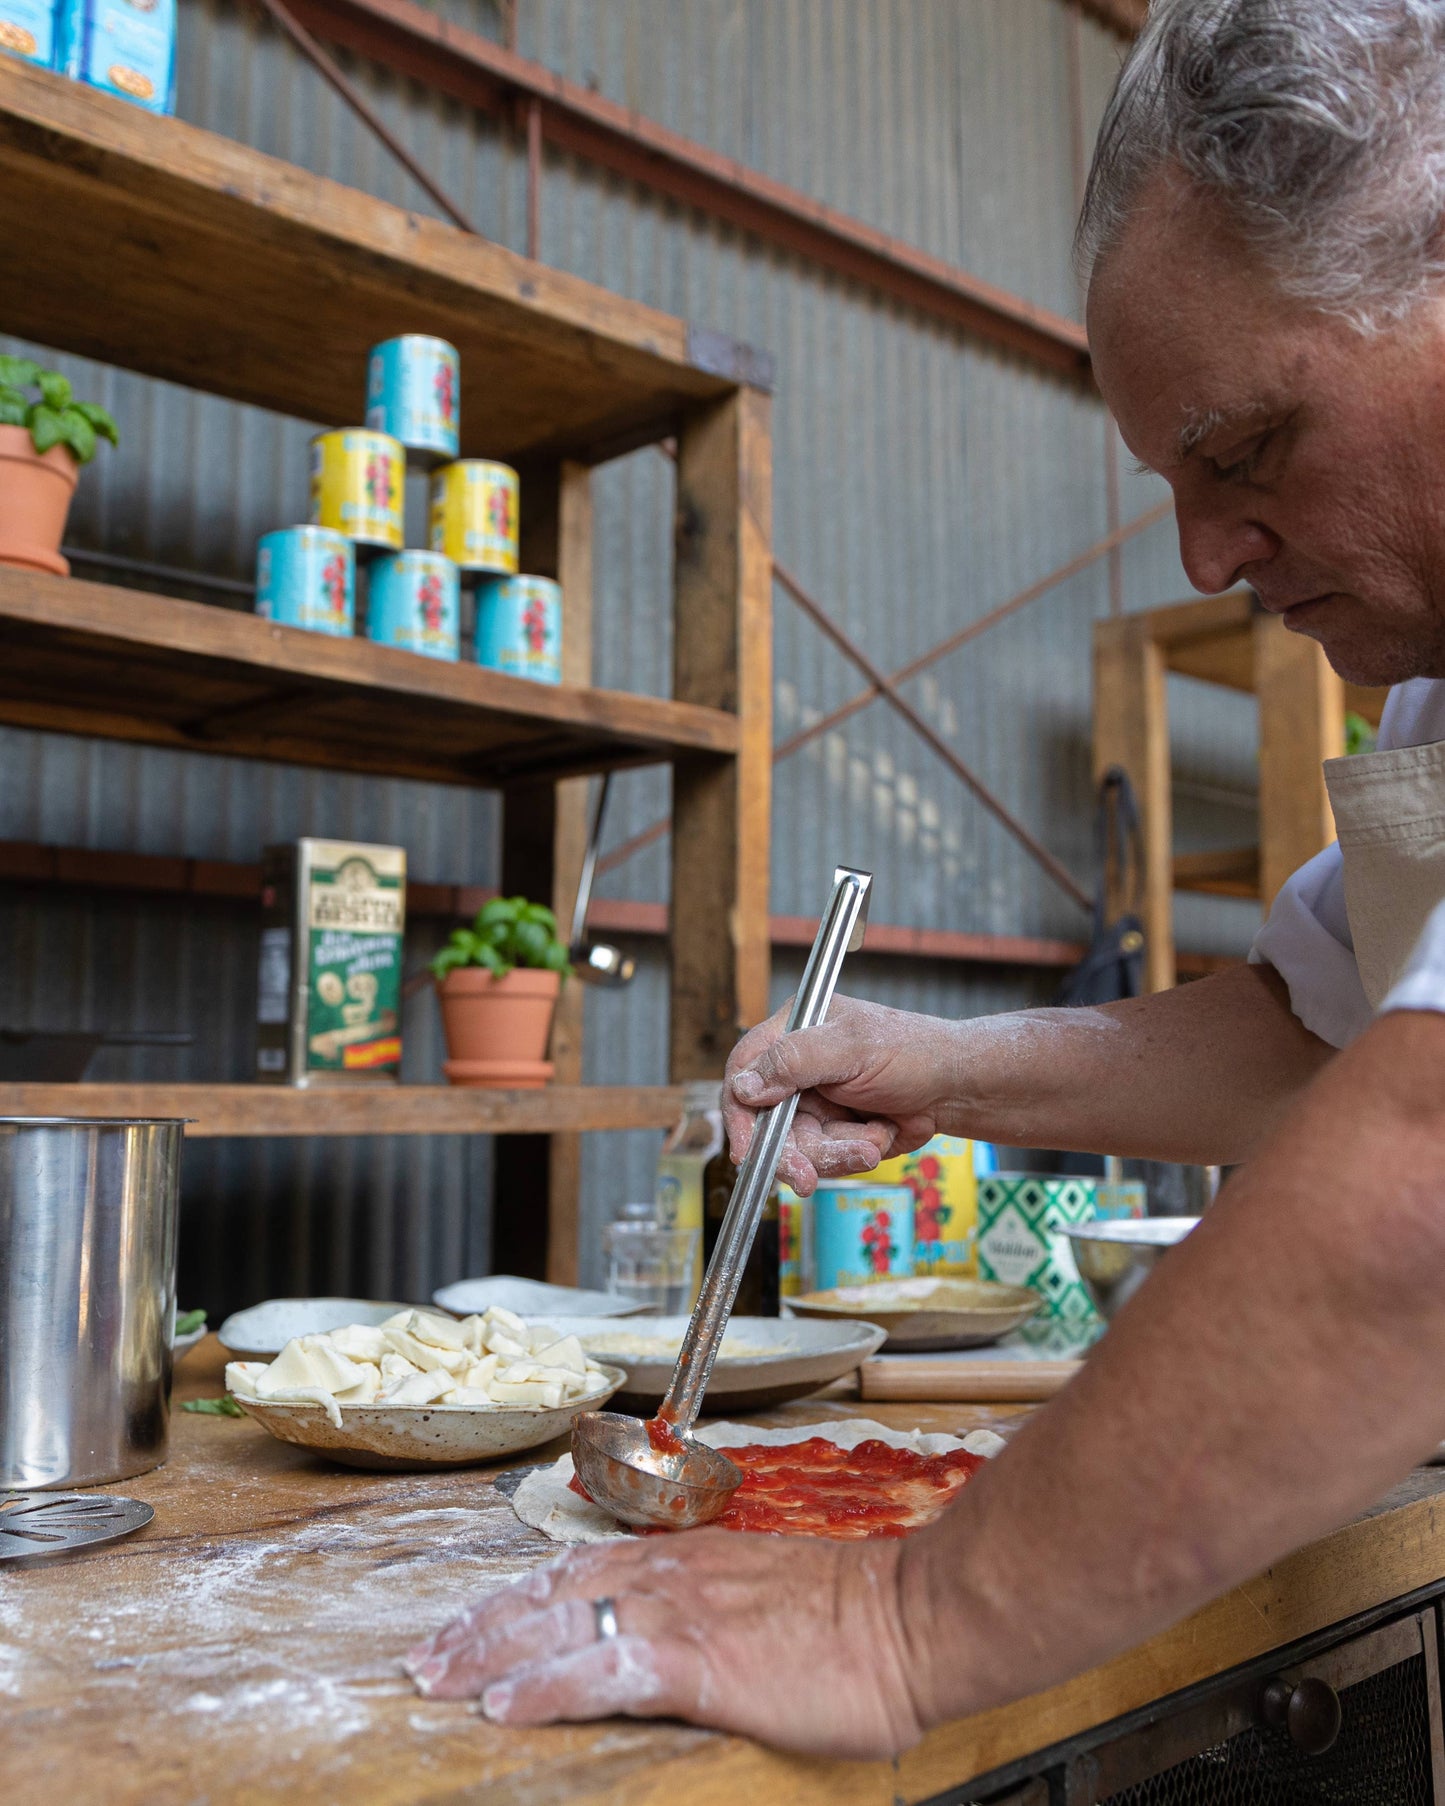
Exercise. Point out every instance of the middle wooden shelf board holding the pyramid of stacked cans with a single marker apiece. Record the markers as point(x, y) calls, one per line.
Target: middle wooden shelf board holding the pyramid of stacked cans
point(86, 658)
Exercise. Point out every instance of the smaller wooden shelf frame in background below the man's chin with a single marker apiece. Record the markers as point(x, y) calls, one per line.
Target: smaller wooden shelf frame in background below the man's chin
point(1233, 642)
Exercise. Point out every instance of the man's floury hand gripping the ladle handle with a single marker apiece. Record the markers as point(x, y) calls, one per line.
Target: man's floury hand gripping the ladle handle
point(870, 1083)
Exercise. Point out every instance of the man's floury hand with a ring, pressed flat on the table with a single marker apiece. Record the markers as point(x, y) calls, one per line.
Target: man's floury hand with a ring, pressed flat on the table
point(705, 1621)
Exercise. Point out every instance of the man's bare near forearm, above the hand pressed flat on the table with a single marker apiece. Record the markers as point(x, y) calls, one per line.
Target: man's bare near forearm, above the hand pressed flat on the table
point(1274, 1377)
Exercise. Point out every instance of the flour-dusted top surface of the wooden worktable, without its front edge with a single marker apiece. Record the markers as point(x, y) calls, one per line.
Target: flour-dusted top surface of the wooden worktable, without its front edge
point(245, 1646)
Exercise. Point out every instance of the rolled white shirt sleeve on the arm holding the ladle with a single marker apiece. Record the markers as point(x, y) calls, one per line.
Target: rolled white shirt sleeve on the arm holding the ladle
point(1307, 940)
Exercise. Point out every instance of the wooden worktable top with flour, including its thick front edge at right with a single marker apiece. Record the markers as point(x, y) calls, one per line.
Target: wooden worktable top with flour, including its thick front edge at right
point(245, 1646)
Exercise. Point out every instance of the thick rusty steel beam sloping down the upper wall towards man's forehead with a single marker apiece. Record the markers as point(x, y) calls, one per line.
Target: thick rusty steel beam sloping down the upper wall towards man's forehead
point(416, 42)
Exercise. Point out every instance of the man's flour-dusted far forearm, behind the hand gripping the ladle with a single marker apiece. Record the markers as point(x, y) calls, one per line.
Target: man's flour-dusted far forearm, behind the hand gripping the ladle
point(1200, 1074)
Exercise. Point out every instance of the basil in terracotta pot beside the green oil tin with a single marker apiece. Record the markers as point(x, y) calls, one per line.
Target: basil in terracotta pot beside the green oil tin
point(498, 983)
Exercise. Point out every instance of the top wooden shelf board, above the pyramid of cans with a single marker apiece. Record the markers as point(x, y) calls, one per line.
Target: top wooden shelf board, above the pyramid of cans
point(248, 277)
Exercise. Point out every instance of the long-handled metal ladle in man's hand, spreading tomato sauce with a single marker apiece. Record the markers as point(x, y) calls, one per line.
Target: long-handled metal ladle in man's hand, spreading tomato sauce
point(615, 1457)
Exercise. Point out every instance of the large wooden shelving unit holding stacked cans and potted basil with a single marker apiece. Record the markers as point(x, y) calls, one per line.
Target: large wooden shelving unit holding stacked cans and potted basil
point(183, 256)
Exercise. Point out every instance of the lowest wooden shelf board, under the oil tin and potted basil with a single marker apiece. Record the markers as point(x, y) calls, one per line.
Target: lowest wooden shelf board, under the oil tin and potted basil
point(359, 1110)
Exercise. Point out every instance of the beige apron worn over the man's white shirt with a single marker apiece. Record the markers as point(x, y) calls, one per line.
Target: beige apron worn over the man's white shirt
point(1390, 814)
